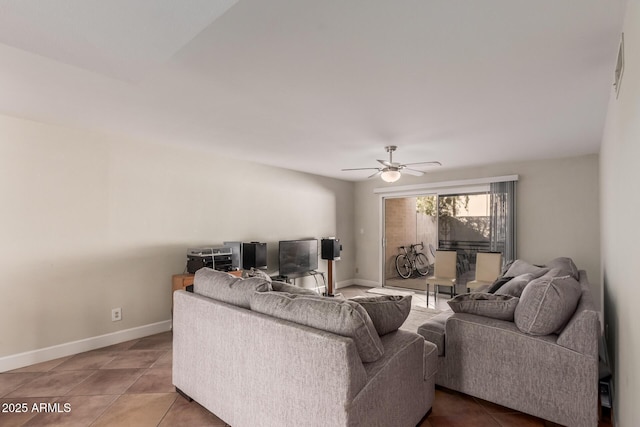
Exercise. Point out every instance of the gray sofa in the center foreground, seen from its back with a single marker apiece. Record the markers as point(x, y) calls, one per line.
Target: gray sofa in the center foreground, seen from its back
point(253, 369)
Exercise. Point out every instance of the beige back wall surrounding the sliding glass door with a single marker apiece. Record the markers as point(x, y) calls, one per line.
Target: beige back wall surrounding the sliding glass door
point(557, 212)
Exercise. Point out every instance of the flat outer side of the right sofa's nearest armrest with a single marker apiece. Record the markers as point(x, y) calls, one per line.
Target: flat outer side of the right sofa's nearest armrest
point(526, 372)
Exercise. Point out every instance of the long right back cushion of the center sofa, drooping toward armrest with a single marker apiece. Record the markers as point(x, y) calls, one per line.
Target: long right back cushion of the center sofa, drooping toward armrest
point(335, 315)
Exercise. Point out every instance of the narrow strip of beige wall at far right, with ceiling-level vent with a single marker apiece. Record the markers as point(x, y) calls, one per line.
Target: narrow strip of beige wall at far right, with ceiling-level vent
point(620, 176)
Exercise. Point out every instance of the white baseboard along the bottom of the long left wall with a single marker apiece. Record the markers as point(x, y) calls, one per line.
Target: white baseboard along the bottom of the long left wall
point(21, 360)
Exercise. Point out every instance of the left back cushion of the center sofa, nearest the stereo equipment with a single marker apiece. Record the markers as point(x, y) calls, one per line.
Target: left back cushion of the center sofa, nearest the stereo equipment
point(224, 287)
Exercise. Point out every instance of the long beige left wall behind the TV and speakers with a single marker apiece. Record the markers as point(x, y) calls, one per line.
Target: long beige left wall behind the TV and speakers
point(90, 223)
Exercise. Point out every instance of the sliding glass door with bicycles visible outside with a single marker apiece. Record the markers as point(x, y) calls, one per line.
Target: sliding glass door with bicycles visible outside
point(467, 217)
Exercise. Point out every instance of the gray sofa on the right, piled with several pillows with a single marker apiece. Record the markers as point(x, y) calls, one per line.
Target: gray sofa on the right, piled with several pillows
point(552, 376)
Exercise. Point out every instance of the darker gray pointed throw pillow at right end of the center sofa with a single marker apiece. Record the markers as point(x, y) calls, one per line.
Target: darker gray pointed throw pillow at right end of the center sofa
point(387, 312)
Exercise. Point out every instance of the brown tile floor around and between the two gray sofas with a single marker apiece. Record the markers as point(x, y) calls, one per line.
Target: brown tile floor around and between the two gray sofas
point(130, 384)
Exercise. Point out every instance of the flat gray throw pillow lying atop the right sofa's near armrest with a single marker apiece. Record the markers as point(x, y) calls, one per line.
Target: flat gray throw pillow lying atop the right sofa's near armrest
point(484, 304)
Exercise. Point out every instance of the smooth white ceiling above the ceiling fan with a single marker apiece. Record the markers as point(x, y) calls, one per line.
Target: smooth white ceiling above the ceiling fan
point(318, 86)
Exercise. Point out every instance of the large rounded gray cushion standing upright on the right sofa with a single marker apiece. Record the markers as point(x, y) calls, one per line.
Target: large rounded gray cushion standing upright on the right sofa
point(547, 304)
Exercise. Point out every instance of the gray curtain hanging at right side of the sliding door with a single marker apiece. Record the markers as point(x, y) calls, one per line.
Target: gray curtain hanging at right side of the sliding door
point(503, 219)
